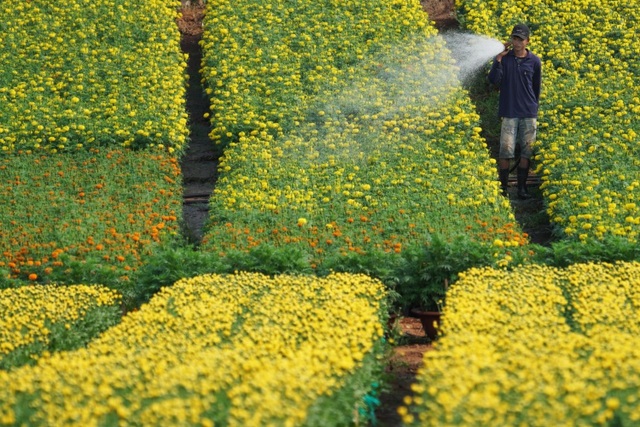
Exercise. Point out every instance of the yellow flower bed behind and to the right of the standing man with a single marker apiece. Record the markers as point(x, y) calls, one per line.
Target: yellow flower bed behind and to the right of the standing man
point(589, 142)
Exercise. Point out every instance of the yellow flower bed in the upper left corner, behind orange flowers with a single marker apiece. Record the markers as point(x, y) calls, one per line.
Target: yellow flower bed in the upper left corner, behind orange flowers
point(77, 73)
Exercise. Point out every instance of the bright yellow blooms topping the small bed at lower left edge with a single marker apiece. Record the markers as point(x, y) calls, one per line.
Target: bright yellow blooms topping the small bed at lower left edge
point(28, 311)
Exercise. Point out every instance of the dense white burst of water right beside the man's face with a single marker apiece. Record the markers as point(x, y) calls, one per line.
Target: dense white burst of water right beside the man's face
point(471, 51)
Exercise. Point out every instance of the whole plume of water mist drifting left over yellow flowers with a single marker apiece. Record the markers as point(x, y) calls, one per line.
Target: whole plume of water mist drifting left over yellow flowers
point(406, 82)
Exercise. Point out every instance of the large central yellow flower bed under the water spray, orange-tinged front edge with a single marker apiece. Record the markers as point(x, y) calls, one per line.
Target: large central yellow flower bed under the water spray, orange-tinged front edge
point(384, 140)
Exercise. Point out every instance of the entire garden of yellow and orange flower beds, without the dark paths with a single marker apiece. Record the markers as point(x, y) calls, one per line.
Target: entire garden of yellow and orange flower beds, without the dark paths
point(354, 180)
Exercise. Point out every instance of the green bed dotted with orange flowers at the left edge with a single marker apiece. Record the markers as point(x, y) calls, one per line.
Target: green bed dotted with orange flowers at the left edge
point(86, 217)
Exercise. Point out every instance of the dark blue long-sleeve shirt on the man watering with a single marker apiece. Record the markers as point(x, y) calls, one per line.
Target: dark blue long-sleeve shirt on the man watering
point(519, 82)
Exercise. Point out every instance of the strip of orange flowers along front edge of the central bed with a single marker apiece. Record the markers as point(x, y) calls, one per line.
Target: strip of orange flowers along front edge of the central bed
point(390, 232)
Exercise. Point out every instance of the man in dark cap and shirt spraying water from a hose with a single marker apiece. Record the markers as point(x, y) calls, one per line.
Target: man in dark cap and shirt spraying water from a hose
point(517, 73)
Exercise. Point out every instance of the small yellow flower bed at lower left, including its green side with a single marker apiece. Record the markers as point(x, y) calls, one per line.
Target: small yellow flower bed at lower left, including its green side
point(39, 320)
